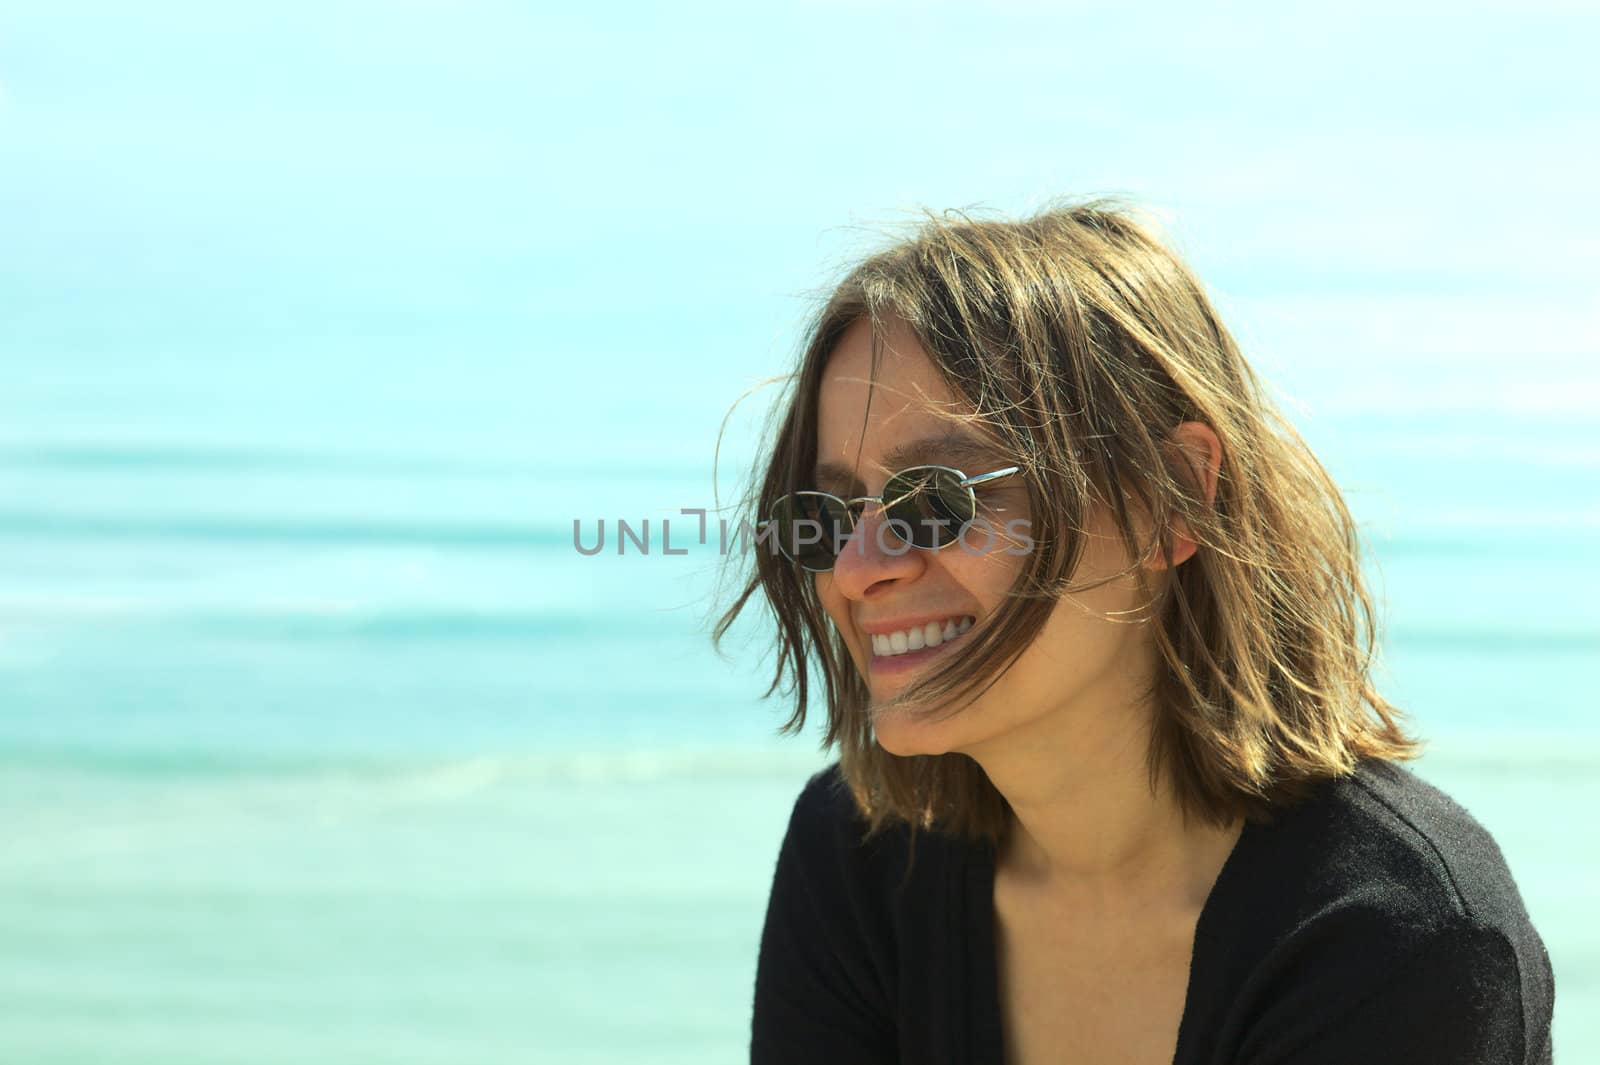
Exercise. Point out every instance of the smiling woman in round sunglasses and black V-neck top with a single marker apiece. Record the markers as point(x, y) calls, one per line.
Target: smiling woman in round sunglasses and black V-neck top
point(1113, 781)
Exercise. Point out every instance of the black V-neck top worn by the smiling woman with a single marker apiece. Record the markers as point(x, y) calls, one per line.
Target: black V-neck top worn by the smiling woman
point(1374, 923)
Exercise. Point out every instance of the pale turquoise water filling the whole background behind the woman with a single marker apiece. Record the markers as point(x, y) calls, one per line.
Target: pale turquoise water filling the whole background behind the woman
point(321, 327)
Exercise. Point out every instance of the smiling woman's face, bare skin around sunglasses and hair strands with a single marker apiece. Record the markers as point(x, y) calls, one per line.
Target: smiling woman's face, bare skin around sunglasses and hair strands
point(1084, 664)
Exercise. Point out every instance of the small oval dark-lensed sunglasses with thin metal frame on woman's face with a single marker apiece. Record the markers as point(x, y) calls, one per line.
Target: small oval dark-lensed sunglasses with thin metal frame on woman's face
point(927, 508)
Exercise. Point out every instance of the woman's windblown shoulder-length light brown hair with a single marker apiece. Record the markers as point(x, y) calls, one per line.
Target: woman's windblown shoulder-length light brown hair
point(1079, 341)
